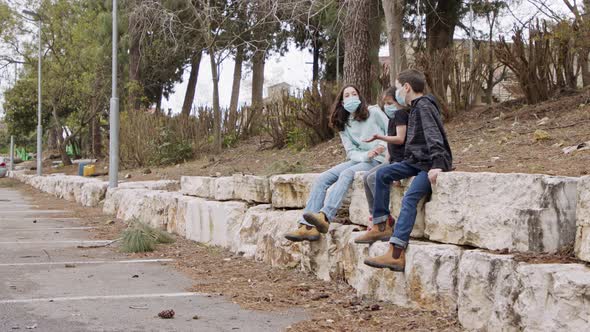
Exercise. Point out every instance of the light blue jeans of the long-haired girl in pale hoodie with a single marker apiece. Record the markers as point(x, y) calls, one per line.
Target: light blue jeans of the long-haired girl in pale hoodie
point(341, 176)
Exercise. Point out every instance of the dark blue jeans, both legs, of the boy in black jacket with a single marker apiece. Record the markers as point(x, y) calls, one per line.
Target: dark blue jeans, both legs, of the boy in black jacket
point(419, 188)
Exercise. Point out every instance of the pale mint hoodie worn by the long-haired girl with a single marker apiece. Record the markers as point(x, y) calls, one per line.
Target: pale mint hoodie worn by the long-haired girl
point(357, 131)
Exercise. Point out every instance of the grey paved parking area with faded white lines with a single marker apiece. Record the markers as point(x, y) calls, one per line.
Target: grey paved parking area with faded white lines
point(47, 284)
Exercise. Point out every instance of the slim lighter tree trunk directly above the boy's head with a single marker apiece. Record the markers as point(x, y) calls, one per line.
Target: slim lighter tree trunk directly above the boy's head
point(393, 10)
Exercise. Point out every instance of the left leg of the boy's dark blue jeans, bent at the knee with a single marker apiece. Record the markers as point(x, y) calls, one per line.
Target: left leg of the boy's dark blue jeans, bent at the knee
point(384, 179)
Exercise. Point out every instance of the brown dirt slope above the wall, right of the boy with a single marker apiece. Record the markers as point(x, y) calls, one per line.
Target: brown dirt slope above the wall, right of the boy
point(502, 138)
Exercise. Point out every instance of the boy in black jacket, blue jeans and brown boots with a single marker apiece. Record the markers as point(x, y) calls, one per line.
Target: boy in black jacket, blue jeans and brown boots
point(427, 153)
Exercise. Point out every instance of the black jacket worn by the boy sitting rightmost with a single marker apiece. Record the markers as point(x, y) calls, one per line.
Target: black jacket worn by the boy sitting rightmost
point(427, 146)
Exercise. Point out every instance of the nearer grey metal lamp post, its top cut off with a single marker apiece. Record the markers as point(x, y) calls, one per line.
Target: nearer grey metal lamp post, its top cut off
point(114, 112)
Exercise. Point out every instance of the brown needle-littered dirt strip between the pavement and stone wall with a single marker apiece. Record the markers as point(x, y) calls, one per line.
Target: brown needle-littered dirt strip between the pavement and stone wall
point(332, 306)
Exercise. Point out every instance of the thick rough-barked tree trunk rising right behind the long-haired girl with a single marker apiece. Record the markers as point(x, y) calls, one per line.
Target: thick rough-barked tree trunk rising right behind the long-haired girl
point(357, 41)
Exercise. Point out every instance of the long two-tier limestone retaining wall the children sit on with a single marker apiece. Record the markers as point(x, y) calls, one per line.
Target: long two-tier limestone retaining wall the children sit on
point(488, 291)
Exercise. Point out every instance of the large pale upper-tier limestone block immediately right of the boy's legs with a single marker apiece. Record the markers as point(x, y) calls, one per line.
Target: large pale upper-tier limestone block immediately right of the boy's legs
point(520, 212)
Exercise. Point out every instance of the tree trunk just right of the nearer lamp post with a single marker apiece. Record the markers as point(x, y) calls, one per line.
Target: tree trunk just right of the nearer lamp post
point(134, 93)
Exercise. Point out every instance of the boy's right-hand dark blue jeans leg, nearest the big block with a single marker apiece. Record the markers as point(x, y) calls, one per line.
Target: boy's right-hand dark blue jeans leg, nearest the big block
point(419, 188)
